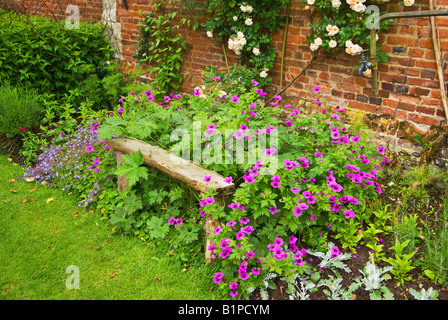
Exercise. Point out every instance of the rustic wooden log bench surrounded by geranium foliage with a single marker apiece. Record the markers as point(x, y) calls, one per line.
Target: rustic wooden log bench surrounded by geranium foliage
point(177, 168)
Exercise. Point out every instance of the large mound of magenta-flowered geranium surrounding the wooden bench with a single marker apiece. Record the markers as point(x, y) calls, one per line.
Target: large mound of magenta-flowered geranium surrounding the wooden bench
point(303, 180)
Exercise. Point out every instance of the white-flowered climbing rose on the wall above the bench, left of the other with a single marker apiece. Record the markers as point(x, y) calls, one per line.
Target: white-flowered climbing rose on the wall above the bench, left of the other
point(247, 29)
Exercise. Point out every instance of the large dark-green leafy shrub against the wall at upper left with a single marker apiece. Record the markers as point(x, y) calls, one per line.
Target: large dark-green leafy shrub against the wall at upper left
point(38, 52)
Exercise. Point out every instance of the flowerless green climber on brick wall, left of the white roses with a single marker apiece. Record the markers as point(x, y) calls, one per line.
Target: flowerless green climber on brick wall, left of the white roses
point(161, 47)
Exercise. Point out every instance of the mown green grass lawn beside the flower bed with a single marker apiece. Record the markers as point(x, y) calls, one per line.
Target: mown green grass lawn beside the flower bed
point(40, 238)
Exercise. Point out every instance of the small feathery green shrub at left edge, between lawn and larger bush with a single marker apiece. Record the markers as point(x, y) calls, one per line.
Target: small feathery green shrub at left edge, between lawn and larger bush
point(20, 110)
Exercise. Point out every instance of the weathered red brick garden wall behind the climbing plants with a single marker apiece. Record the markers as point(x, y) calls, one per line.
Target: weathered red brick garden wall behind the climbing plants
point(419, 104)
